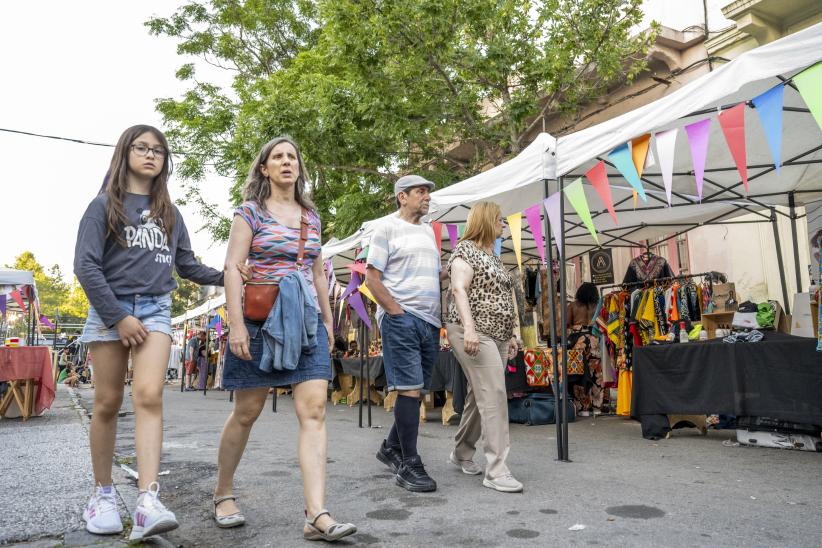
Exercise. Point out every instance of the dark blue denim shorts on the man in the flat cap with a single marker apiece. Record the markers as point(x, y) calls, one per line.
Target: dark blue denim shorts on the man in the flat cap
point(409, 346)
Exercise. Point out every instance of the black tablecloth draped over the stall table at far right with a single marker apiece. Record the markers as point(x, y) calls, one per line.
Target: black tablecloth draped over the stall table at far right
point(779, 377)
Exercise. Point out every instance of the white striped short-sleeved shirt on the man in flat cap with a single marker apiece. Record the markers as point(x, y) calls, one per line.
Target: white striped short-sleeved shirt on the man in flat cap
point(408, 258)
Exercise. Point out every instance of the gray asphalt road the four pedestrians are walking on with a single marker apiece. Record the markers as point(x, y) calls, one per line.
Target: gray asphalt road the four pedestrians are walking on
point(623, 490)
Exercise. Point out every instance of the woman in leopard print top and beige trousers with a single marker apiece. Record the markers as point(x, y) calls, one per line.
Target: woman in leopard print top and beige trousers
point(480, 325)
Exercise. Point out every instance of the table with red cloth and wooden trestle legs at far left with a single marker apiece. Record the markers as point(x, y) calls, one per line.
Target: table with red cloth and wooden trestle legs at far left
point(27, 368)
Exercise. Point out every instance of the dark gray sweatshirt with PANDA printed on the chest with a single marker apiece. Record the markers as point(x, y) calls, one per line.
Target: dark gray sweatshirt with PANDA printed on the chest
point(107, 270)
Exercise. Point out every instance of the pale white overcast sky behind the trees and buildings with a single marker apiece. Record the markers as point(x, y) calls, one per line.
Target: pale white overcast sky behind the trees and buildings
point(88, 70)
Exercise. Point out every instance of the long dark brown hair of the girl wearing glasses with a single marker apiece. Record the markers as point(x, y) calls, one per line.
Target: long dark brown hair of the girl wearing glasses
point(115, 185)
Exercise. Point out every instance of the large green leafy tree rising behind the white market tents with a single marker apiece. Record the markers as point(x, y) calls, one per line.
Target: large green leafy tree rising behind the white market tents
point(372, 89)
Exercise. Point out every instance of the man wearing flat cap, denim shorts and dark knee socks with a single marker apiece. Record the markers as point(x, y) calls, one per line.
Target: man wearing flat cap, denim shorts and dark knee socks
point(403, 273)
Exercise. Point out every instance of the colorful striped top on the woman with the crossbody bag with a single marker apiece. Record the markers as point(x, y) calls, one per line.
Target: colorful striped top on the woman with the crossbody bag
point(274, 246)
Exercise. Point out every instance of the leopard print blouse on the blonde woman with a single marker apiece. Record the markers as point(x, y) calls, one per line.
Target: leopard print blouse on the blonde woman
point(489, 295)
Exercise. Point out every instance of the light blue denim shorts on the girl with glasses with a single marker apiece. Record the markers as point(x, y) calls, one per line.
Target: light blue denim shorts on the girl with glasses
point(153, 310)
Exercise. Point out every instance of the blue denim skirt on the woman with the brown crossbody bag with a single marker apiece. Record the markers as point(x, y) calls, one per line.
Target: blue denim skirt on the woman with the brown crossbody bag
point(239, 374)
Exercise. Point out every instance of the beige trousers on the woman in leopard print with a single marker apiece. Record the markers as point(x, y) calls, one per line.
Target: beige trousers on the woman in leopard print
point(486, 405)
